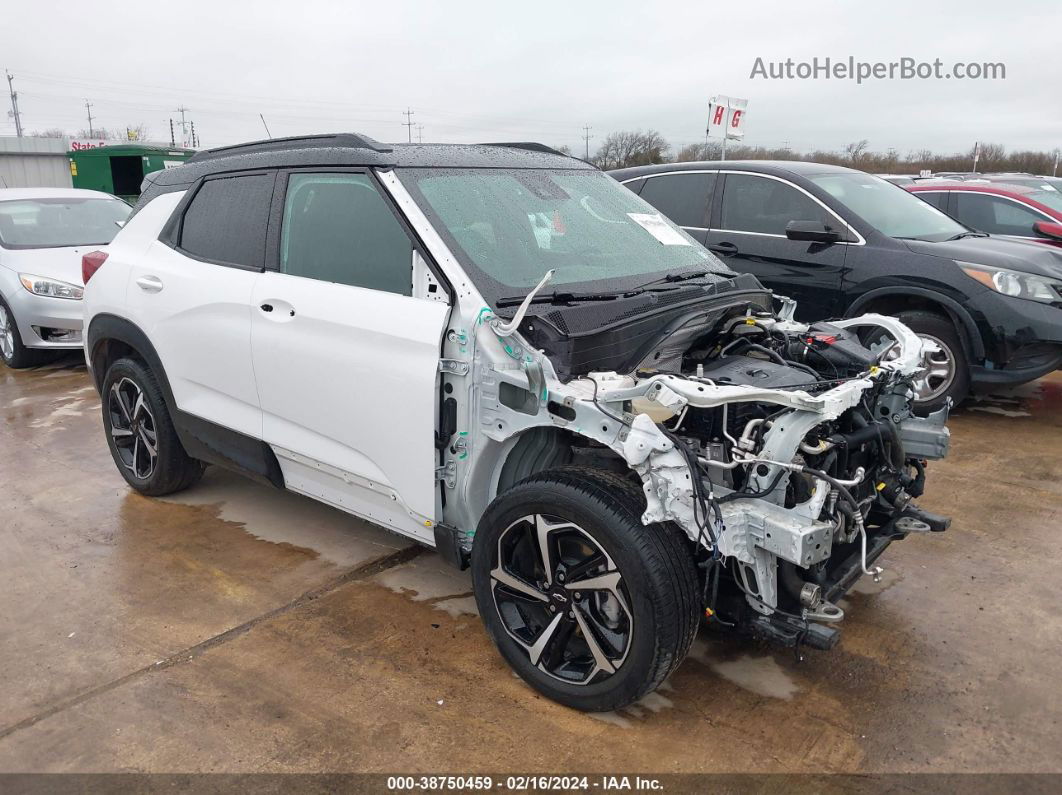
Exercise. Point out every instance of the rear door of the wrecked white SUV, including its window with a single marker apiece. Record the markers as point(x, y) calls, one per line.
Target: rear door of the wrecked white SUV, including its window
point(192, 295)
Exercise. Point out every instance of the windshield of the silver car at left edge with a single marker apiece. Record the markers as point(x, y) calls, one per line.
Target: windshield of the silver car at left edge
point(50, 223)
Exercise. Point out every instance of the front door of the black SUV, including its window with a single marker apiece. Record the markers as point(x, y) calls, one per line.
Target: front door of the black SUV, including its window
point(750, 237)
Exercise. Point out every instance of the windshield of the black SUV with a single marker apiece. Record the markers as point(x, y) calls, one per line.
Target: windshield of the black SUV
point(889, 209)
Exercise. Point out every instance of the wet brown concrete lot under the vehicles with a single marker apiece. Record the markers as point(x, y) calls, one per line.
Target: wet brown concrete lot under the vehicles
point(243, 630)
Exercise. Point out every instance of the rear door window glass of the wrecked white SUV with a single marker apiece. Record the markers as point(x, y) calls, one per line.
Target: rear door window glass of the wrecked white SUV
point(227, 220)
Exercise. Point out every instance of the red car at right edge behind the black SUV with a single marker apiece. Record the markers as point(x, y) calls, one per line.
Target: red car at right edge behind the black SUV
point(1024, 212)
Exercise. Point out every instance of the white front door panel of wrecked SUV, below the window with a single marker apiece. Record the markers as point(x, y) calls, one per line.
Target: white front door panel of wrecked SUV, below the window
point(350, 385)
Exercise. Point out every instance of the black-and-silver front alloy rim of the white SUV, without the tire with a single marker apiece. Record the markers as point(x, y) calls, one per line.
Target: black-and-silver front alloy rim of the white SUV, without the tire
point(562, 599)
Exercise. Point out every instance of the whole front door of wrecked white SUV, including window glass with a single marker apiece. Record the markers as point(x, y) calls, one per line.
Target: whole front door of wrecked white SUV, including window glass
point(347, 359)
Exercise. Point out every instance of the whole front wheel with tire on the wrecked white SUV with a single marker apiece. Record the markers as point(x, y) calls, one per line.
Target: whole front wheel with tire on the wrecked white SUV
point(590, 607)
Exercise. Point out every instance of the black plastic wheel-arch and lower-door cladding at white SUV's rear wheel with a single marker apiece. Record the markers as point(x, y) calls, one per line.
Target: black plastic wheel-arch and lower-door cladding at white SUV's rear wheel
point(201, 439)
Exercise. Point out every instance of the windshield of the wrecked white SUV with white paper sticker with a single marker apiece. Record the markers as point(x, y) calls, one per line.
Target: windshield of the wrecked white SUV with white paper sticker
point(509, 228)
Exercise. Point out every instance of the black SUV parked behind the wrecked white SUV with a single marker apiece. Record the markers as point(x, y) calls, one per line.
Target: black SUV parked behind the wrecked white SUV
point(843, 243)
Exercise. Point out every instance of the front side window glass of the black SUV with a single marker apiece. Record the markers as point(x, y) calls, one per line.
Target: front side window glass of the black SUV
point(758, 204)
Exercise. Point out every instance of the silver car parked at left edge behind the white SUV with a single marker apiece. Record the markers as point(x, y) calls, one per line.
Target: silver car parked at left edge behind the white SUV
point(44, 233)
